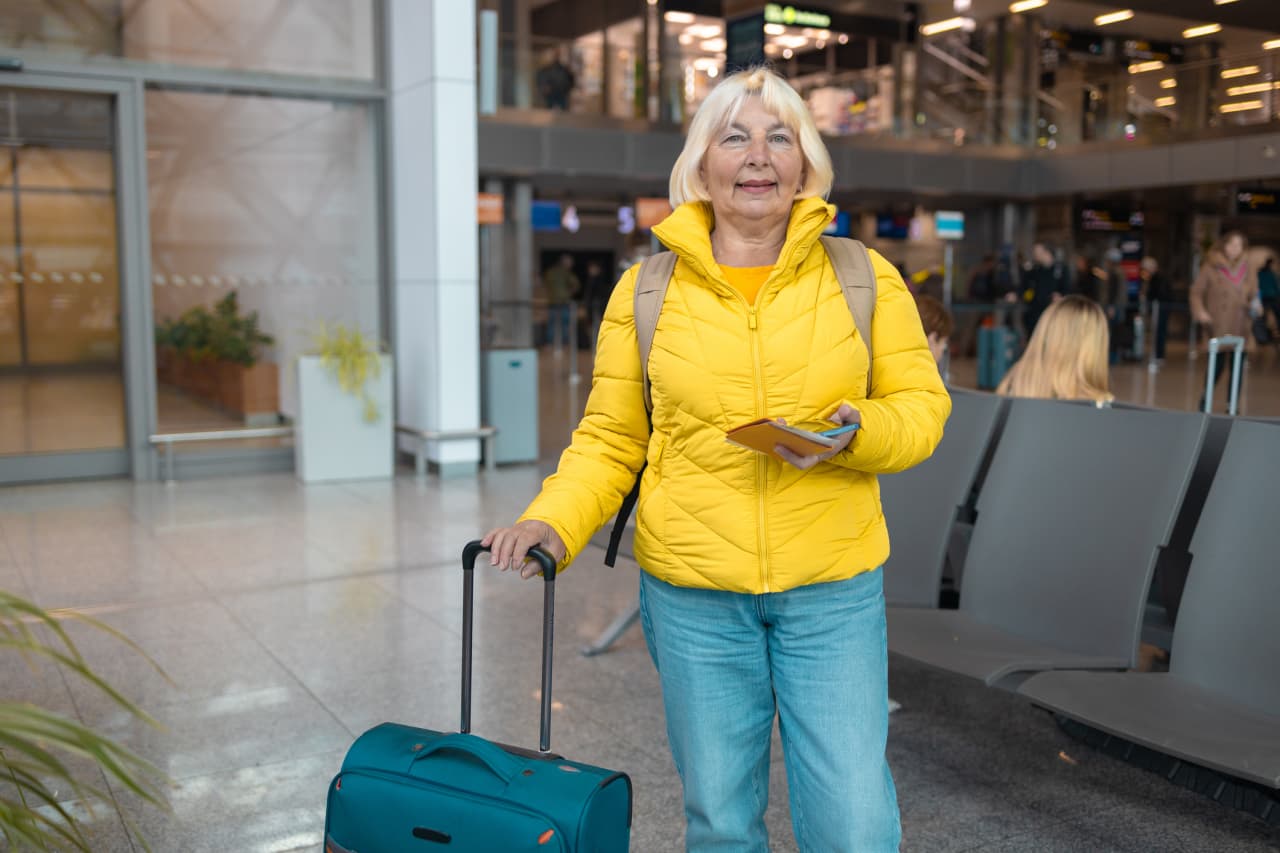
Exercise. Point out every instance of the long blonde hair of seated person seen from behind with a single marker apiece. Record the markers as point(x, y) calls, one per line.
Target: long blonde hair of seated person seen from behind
point(1067, 358)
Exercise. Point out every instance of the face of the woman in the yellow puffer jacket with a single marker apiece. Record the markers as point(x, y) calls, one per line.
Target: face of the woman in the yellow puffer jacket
point(755, 167)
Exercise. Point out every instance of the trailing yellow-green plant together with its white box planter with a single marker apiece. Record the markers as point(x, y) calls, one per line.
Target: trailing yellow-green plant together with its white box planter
point(345, 430)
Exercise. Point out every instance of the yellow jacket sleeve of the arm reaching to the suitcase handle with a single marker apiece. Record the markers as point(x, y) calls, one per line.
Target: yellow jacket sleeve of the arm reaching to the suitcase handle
point(609, 448)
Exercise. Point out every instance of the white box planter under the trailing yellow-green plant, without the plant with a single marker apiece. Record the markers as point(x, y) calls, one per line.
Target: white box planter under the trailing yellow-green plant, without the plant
point(333, 441)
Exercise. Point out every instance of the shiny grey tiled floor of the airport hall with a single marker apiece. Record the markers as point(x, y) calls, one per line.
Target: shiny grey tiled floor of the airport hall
point(290, 619)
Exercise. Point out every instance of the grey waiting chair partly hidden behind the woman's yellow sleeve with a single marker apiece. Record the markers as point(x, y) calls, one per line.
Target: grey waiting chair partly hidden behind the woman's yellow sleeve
point(921, 504)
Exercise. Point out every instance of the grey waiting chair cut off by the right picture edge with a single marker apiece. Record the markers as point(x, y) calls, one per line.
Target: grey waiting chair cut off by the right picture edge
point(1219, 705)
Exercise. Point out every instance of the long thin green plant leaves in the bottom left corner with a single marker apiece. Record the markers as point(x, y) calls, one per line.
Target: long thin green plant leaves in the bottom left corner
point(35, 742)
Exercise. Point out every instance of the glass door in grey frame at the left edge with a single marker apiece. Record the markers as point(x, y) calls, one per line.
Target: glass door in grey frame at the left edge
point(62, 381)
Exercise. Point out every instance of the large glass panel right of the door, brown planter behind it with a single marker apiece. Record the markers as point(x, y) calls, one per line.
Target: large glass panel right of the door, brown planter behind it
point(260, 207)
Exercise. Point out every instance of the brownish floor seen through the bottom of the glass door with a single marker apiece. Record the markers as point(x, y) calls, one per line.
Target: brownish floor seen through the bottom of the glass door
point(49, 413)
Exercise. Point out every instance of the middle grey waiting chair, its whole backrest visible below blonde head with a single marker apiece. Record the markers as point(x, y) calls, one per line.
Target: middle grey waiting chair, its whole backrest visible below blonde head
point(1071, 517)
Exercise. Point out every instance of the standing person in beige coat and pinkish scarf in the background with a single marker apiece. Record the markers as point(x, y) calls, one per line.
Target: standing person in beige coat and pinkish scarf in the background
point(1226, 294)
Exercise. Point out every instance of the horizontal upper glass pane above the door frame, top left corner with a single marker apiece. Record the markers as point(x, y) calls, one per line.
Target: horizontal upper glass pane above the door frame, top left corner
point(316, 38)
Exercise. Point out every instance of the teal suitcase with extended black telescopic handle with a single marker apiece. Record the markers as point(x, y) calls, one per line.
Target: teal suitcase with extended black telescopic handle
point(415, 790)
